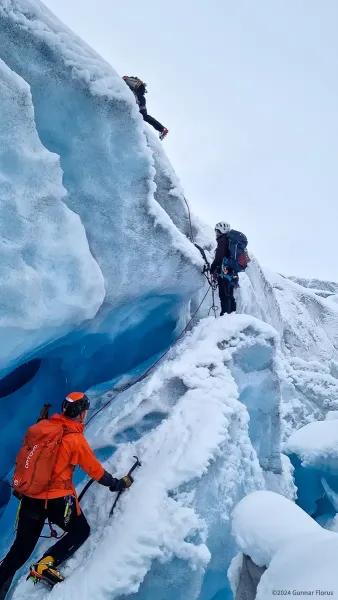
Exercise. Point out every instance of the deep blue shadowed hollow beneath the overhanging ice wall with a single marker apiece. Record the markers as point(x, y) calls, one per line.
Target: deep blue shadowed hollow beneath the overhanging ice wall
point(112, 344)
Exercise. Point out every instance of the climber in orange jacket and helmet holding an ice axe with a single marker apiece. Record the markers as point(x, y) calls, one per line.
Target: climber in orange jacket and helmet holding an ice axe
point(43, 482)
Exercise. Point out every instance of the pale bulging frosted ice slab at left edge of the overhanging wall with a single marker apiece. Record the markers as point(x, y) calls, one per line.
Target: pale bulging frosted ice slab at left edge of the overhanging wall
point(46, 279)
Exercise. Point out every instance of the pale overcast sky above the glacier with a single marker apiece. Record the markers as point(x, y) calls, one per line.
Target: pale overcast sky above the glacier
point(249, 92)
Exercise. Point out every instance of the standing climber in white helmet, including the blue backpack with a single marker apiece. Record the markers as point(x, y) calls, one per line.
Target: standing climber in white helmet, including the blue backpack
point(231, 257)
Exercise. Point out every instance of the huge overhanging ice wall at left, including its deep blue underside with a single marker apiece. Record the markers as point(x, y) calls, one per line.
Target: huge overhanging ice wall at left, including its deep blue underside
point(80, 222)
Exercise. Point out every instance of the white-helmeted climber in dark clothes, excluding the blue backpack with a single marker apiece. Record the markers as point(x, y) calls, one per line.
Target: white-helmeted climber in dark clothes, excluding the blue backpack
point(225, 286)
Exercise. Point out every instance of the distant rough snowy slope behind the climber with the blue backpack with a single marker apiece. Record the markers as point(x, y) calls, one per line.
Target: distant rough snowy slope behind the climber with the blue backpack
point(308, 328)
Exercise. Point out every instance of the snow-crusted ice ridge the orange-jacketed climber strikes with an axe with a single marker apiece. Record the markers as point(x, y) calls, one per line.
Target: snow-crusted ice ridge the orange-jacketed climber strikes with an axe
point(187, 424)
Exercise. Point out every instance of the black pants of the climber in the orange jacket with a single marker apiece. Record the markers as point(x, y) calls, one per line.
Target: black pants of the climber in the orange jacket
point(31, 520)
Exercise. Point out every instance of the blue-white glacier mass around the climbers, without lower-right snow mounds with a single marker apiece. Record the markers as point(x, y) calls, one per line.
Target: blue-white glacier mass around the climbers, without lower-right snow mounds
point(98, 277)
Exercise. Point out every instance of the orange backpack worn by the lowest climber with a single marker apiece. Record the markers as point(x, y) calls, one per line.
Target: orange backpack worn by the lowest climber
point(36, 459)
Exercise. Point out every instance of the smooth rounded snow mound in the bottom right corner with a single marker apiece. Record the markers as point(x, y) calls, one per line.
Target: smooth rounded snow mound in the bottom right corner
point(299, 555)
